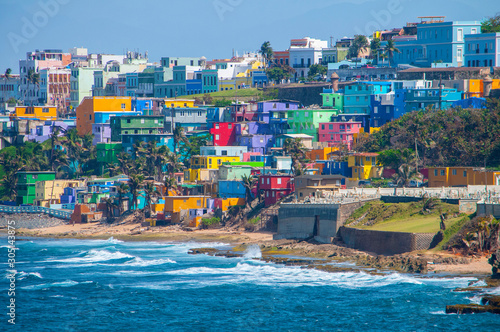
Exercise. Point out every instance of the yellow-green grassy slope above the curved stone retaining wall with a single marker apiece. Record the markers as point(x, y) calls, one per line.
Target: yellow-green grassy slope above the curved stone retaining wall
point(403, 217)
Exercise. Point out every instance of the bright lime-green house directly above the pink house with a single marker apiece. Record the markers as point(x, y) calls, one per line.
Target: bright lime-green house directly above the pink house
point(306, 121)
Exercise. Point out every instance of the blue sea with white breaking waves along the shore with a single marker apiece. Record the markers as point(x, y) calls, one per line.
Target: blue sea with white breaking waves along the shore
point(109, 285)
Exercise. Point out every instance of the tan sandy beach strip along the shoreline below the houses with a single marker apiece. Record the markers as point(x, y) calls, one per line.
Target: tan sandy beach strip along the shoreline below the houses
point(437, 262)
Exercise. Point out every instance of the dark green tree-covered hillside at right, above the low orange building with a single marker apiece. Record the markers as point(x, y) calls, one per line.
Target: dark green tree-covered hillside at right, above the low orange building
point(453, 137)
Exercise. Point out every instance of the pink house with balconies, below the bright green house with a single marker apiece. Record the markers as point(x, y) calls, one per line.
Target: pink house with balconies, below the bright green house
point(338, 132)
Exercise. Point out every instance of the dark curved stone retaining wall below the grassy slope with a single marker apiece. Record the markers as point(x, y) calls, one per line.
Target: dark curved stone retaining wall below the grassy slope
point(385, 243)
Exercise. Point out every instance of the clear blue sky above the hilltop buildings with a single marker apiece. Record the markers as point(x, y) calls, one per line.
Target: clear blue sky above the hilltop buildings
point(210, 28)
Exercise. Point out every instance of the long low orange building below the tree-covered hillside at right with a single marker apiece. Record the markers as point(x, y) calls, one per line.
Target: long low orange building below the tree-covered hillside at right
point(462, 176)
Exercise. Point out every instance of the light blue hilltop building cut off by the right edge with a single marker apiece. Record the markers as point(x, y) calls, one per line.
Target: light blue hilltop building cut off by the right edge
point(482, 50)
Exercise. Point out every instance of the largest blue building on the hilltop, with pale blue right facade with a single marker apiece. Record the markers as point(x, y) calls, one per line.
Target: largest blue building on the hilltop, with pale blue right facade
point(436, 42)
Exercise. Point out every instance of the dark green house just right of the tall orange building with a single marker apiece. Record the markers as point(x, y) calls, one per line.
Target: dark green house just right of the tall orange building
point(136, 125)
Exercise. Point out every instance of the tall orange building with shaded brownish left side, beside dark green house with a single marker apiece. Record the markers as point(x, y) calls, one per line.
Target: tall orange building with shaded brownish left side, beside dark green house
point(99, 110)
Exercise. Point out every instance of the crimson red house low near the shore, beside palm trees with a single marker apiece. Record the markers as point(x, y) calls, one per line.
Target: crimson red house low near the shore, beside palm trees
point(275, 187)
